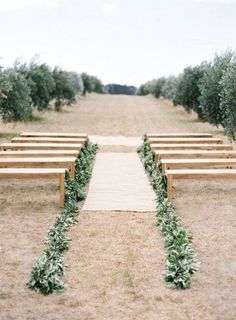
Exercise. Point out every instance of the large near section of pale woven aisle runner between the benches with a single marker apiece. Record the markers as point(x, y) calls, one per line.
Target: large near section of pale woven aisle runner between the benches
point(119, 183)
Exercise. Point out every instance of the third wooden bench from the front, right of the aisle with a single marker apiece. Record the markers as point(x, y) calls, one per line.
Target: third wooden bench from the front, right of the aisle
point(163, 154)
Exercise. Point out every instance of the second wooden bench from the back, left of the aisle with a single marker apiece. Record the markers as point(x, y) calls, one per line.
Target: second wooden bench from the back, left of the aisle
point(47, 140)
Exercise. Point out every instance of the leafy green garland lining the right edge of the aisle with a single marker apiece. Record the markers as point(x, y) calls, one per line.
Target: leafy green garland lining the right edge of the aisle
point(181, 258)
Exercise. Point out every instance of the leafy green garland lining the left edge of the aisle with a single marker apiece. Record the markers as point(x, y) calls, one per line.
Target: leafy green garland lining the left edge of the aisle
point(50, 267)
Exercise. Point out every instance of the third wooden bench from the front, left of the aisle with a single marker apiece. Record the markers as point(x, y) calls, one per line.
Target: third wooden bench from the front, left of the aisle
point(39, 153)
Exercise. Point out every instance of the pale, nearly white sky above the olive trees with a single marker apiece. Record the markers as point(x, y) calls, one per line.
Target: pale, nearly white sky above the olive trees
point(119, 41)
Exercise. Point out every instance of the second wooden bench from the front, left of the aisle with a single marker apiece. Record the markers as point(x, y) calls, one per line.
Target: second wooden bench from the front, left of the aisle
point(68, 163)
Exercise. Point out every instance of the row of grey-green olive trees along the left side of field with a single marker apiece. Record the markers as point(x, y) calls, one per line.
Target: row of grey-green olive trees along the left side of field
point(28, 87)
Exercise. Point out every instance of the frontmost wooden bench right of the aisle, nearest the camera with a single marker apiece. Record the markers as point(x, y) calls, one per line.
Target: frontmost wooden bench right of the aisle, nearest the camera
point(196, 174)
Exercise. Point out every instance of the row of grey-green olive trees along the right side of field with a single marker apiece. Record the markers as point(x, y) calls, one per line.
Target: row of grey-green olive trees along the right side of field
point(209, 89)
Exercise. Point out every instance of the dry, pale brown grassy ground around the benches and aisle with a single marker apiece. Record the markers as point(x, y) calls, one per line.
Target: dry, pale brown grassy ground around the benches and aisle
point(116, 258)
